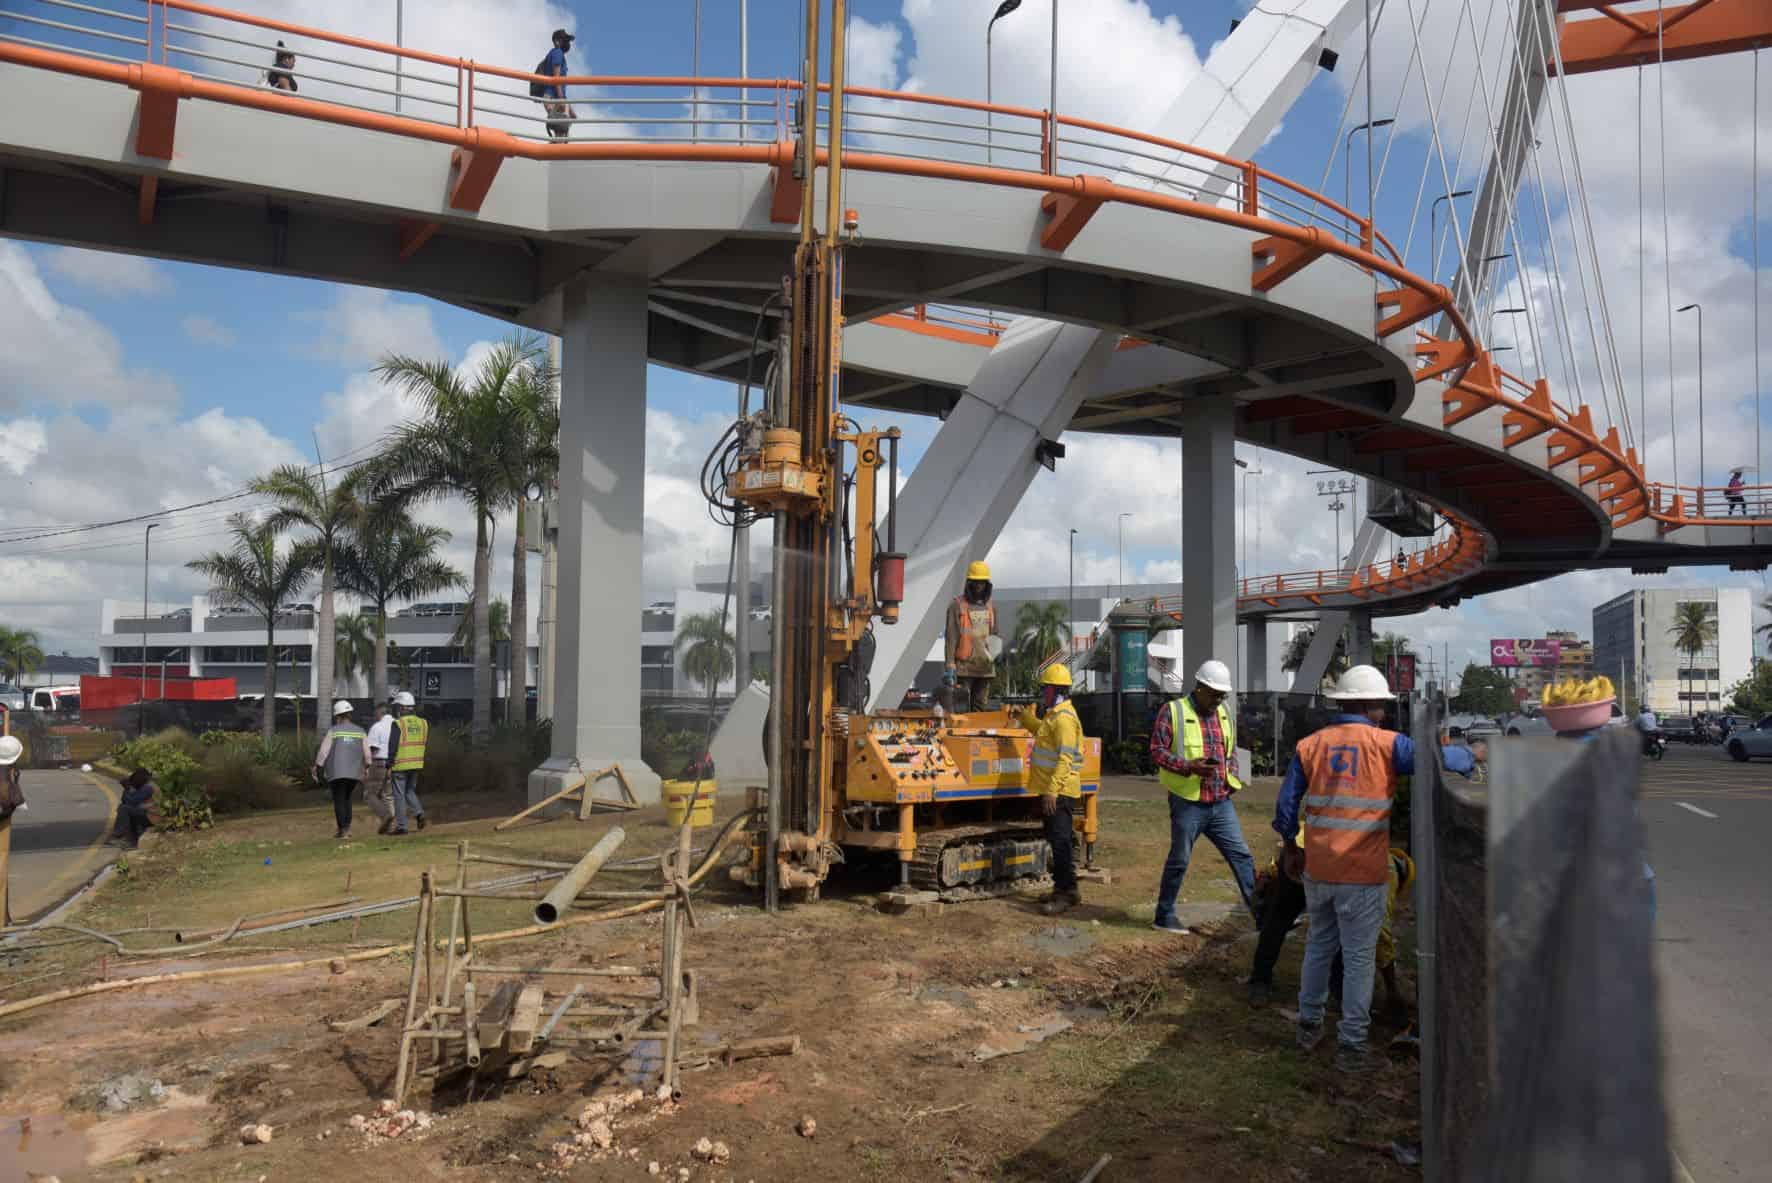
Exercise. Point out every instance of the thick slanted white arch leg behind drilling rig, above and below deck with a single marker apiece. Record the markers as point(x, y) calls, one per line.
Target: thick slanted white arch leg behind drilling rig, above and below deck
point(983, 463)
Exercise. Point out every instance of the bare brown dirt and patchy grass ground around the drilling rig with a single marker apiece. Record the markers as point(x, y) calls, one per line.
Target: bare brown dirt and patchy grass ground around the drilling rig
point(1163, 1065)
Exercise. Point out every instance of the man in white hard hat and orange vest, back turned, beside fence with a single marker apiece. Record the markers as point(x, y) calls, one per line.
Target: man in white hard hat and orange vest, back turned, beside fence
point(1346, 780)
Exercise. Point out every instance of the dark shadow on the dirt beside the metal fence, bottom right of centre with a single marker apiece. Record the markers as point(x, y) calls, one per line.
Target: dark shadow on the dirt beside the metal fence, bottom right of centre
point(1201, 1086)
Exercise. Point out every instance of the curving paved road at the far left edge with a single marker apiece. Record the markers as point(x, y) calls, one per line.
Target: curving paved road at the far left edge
point(59, 844)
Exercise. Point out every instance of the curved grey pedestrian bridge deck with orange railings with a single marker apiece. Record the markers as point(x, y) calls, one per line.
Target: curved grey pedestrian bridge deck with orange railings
point(148, 130)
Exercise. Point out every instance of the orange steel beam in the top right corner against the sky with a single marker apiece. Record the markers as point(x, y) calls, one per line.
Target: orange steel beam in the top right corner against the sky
point(1691, 31)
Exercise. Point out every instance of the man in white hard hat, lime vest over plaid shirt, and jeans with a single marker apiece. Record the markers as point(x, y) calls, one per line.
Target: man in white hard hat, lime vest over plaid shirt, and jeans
point(1193, 743)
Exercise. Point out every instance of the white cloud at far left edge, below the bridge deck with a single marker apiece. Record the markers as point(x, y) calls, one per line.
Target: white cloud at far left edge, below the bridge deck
point(58, 353)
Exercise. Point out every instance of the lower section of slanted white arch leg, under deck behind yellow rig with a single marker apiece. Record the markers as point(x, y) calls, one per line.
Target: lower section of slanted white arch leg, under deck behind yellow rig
point(974, 477)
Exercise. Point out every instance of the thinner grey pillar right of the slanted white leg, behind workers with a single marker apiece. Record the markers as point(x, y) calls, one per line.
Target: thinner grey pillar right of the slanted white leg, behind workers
point(1209, 536)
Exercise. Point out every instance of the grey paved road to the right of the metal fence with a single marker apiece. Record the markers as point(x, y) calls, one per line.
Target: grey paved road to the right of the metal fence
point(1714, 954)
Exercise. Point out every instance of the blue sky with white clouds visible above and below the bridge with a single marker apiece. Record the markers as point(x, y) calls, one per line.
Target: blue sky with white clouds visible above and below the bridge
point(290, 355)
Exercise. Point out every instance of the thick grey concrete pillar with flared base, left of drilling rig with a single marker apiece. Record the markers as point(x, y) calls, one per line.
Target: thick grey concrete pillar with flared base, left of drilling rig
point(600, 601)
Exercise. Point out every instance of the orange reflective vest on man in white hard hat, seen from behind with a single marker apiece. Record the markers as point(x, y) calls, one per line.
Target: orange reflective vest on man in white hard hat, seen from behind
point(1348, 803)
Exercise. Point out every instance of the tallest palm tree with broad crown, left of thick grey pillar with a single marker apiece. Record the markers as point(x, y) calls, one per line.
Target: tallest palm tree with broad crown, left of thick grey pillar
point(467, 444)
